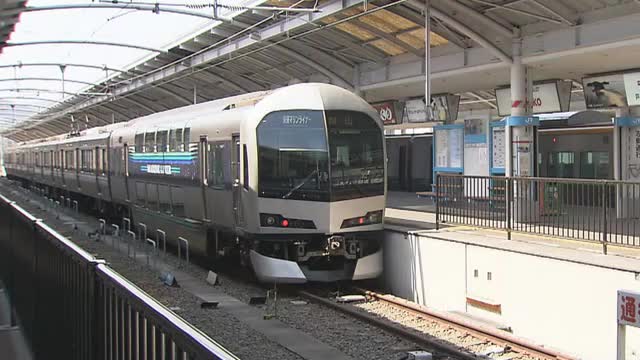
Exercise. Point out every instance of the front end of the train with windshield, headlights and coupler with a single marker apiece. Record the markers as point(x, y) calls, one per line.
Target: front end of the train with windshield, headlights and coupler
point(320, 190)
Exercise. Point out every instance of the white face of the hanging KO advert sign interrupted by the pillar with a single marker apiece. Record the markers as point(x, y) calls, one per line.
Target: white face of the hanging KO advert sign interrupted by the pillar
point(545, 99)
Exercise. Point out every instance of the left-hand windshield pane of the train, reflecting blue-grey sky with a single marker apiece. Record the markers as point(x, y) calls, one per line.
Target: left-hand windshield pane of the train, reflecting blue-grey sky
point(293, 156)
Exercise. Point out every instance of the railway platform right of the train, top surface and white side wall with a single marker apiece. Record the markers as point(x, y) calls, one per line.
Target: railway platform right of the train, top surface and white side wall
point(540, 287)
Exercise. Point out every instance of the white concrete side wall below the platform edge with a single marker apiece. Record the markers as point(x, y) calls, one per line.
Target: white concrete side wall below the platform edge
point(561, 304)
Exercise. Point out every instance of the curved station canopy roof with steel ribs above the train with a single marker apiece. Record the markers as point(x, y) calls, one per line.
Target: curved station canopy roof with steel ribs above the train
point(245, 46)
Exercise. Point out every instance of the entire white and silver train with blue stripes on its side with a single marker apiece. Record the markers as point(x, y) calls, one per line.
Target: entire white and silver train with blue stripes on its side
point(291, 181)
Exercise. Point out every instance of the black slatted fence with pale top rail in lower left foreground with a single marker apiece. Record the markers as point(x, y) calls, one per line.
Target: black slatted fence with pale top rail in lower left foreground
point(73, 306)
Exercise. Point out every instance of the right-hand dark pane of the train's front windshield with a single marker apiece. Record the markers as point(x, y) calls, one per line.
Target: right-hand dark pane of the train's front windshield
point(356, 155)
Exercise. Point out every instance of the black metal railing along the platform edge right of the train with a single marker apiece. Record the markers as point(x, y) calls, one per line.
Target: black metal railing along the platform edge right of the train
point(594, 210)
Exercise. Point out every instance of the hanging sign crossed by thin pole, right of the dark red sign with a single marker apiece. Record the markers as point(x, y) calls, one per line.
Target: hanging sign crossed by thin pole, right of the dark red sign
point(443, 108)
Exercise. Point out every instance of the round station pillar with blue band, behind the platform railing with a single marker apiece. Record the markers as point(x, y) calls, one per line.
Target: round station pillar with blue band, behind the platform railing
point(521, 141)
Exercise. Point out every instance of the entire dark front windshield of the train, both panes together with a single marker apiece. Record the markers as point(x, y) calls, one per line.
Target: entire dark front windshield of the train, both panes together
point(297, 162)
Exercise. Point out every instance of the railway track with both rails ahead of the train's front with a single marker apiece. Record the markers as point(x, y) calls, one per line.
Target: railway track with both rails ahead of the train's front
point(511, 346)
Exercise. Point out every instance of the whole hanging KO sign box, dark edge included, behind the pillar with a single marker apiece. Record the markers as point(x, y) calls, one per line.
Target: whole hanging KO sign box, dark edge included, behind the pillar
point(547, 97)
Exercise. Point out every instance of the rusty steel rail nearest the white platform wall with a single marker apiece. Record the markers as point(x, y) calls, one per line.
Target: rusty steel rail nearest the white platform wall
point(484, 332)
